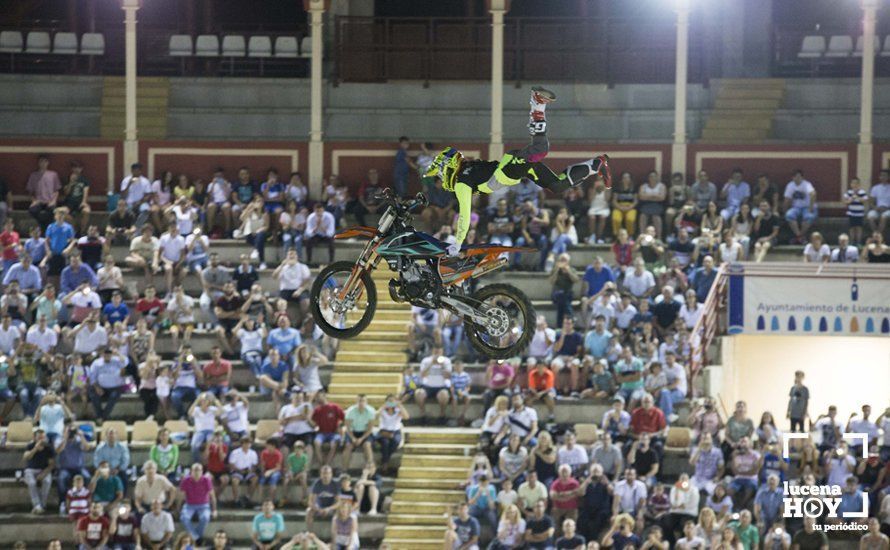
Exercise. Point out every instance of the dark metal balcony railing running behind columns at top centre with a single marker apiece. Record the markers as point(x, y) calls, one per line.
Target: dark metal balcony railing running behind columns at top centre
point(539, 48)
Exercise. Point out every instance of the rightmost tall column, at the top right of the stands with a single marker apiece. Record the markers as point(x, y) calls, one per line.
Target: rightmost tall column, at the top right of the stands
point(865, 149)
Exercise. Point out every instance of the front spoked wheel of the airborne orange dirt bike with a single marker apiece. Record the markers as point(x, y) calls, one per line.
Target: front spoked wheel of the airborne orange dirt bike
point(340, 312)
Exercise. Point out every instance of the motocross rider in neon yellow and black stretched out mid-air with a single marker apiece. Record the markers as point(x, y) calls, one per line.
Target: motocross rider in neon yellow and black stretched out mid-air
point(467, 177)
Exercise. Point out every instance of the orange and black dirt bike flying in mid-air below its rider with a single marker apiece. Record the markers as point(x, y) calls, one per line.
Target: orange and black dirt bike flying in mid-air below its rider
point(498, 319)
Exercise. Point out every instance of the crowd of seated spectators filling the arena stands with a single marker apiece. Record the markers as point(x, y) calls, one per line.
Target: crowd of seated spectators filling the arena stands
point(76, 336)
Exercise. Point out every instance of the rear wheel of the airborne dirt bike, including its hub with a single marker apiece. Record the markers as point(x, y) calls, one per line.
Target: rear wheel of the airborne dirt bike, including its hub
point(510, 322)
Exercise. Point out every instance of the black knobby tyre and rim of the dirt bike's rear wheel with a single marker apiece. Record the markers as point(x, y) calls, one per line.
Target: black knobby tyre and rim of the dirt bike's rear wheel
point(522, 307)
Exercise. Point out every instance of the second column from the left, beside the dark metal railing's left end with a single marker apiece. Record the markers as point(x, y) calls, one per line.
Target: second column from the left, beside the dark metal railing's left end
point(316, 9)
